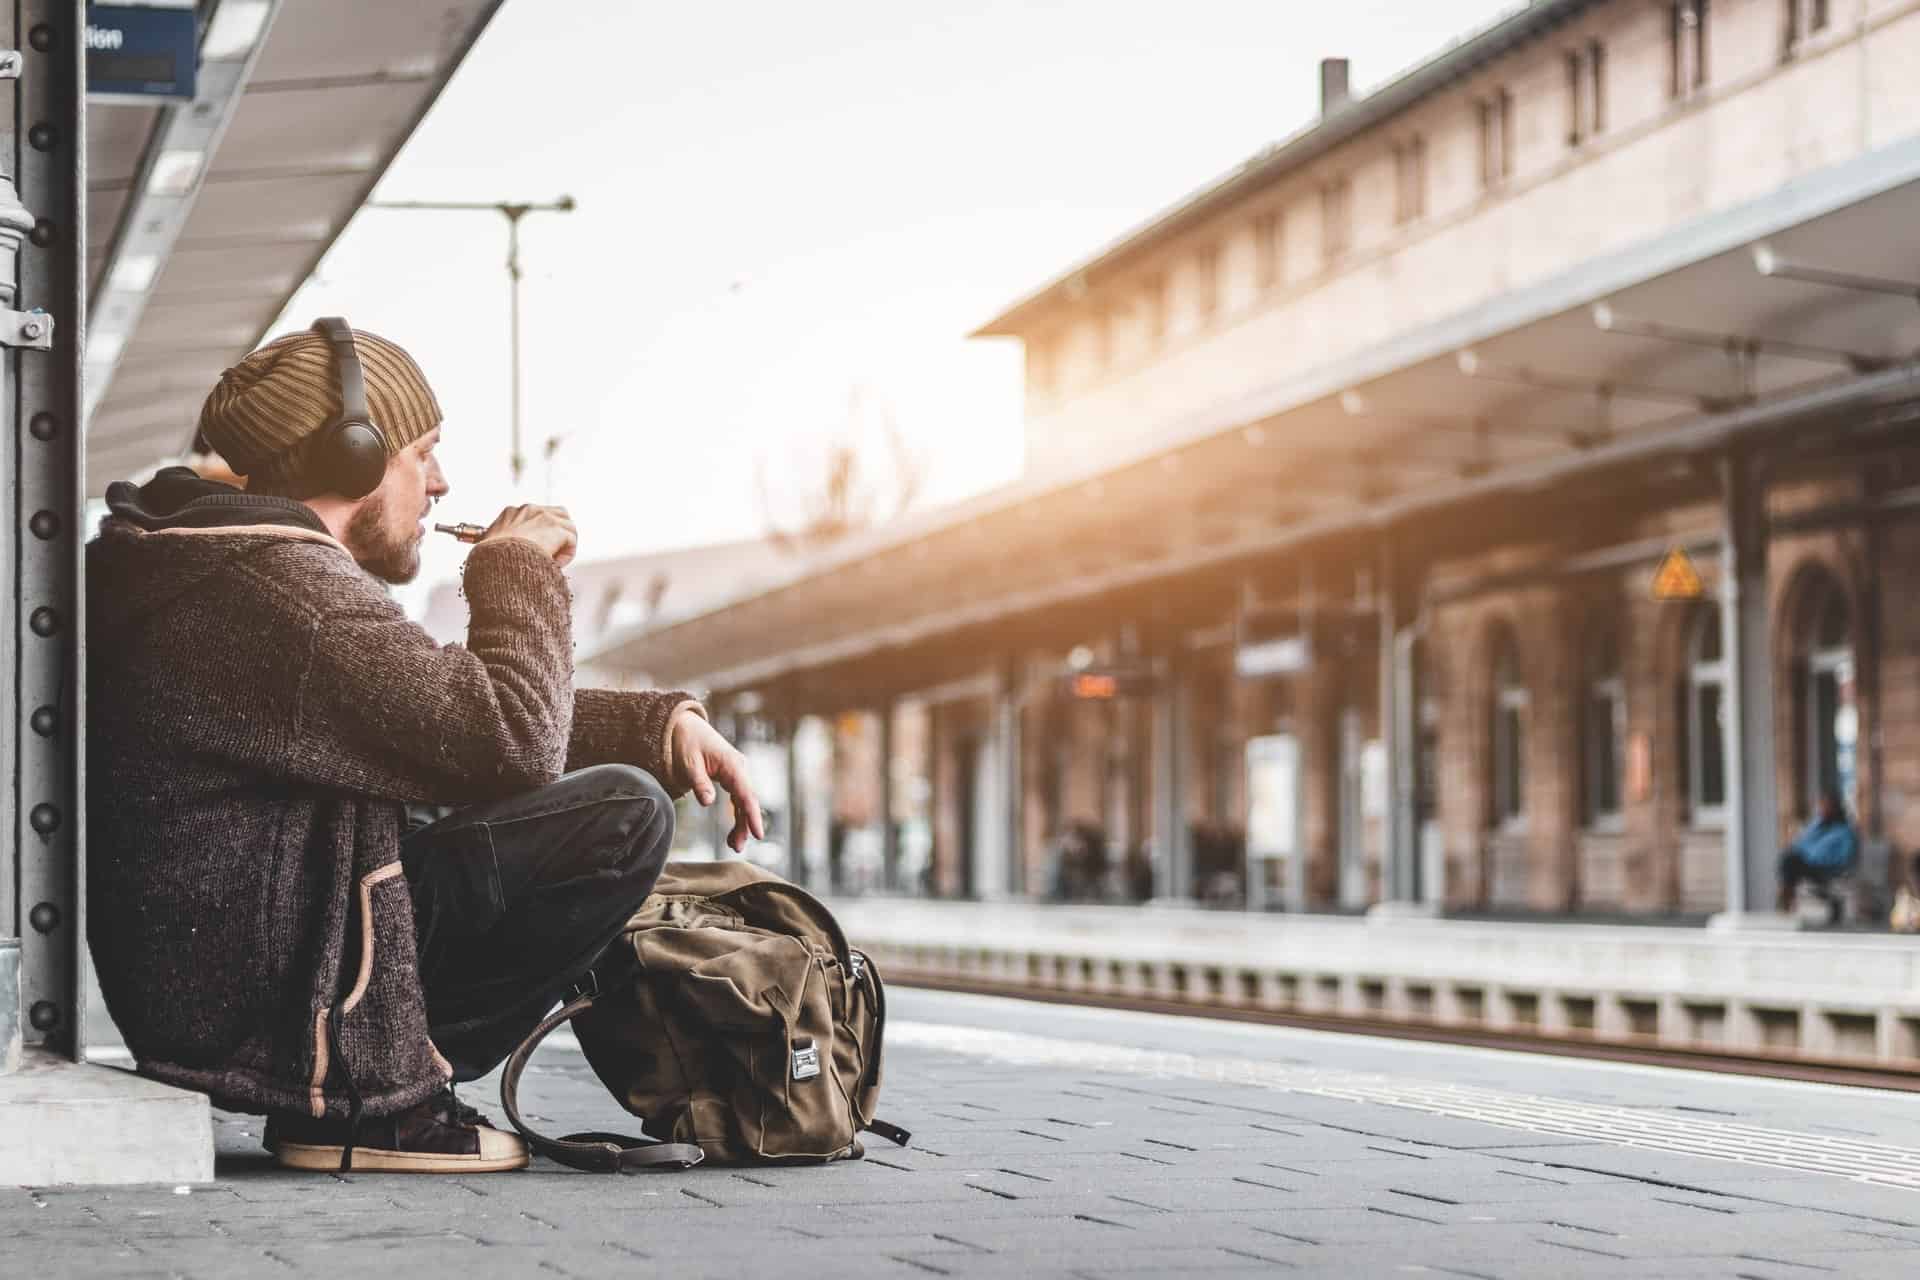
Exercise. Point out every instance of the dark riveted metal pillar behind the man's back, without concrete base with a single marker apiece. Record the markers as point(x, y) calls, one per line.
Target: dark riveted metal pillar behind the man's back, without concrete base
point(43, 333)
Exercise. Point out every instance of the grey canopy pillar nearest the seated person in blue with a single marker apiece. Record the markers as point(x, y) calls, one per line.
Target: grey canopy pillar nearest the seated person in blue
point(1752, 809)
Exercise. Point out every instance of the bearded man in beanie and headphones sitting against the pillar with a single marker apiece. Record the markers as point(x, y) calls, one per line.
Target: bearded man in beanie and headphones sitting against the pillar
point(268, 922)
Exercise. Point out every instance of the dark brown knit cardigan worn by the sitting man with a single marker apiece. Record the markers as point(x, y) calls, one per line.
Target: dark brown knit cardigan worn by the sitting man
point(258, 715)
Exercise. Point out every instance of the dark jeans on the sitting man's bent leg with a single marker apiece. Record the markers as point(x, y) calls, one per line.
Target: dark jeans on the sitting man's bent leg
point(517, 899)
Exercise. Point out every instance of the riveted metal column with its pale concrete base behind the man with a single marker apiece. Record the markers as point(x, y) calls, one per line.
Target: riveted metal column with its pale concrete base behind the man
point(64, 1122)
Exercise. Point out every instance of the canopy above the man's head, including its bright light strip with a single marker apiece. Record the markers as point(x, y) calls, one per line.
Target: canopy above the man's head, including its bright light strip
point(206, 218)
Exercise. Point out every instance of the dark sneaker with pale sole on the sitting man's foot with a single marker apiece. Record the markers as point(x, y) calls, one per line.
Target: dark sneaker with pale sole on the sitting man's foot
point(423, 1139)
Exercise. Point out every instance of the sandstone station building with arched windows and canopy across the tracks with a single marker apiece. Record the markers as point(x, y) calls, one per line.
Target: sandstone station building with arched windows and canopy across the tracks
point(1333, 575)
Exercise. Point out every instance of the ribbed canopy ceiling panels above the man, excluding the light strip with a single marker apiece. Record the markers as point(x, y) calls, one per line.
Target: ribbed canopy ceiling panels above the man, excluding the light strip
point(335, 95)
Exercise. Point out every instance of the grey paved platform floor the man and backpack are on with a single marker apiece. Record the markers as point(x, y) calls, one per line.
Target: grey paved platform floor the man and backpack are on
point(1088, 1143)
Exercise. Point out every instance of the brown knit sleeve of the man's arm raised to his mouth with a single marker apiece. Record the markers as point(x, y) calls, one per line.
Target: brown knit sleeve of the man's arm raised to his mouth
point(387, 711)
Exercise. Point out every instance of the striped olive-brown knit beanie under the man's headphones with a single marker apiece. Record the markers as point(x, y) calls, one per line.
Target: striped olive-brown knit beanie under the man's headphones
point(281, 396)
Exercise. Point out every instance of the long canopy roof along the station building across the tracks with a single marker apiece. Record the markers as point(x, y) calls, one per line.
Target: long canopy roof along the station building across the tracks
point(1652, 358)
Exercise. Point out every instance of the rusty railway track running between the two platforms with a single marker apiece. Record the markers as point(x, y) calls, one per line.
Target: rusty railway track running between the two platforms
point(1566, 1045)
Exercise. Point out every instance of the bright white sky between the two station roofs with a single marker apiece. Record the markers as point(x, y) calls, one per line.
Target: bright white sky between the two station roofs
point(784, 208)
